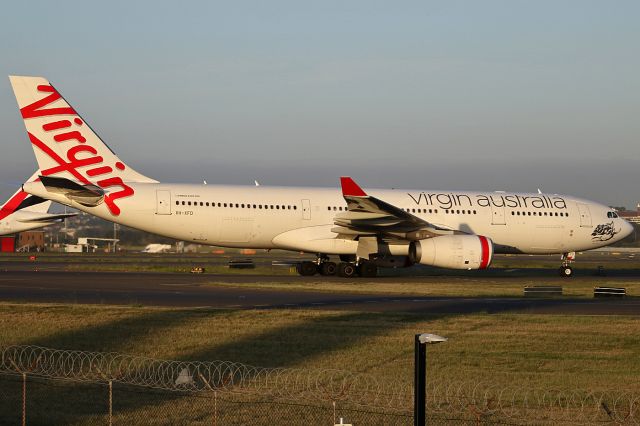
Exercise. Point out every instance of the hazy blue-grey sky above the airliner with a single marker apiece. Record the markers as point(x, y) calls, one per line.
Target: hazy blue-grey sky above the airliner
point(479, 95)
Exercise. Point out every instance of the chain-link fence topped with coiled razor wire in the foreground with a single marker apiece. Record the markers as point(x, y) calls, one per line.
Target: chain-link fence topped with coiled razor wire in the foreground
point(47, 386)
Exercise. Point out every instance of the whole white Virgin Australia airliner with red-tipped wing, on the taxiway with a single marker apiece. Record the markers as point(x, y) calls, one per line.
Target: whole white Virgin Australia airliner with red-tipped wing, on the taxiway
point(460, 230)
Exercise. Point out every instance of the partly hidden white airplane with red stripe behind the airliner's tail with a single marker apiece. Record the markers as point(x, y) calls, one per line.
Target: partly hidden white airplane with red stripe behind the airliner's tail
point(24, 212)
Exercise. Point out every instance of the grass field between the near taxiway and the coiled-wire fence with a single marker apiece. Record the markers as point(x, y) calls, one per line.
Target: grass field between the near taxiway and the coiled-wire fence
point(548, 351)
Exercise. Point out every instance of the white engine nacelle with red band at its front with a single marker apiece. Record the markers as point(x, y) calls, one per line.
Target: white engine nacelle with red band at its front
point(453, 251)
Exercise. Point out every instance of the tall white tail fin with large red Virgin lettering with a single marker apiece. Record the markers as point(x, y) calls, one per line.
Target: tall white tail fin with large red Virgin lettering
point(66, 146)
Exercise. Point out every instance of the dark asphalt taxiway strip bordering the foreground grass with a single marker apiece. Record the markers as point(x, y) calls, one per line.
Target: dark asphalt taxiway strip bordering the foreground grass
point(184, 290)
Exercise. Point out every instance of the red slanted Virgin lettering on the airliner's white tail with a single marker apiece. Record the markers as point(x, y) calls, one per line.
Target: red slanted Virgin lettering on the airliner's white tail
point(79, 155)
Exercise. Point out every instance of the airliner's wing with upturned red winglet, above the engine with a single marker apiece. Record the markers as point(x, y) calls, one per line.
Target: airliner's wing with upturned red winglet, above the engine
point(368, 215)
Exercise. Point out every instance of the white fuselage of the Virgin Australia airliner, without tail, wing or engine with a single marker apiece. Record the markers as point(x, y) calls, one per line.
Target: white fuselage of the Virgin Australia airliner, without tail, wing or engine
point(298, 218)
